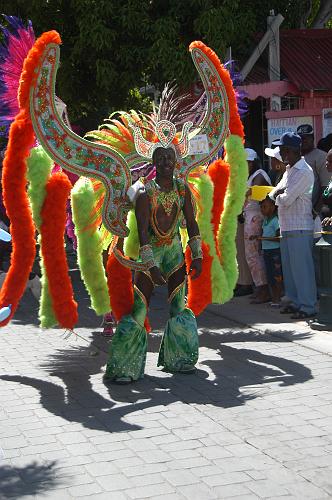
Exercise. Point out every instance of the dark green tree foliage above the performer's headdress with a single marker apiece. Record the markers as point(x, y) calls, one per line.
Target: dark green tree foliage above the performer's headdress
point(112, 47)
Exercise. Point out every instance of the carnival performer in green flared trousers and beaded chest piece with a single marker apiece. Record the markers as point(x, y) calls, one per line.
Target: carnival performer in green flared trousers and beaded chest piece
point(159, 205)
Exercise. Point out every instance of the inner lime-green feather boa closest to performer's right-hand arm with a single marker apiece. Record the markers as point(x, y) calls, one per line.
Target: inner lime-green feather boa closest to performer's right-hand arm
point(204, 186)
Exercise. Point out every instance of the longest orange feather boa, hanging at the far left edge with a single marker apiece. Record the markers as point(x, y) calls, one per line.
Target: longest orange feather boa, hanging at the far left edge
point(21, 138)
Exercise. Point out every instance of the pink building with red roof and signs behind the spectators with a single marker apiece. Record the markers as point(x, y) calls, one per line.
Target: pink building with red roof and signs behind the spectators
point(302, 95)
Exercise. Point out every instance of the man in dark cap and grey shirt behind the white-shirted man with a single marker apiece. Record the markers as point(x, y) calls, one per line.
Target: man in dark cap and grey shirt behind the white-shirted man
point(316, 158)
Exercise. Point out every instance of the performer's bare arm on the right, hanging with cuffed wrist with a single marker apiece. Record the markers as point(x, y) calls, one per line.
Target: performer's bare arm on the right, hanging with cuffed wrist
point(195, 242)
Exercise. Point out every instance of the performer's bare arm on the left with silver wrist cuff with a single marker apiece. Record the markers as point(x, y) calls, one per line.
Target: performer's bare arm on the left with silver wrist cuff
point(142, 211)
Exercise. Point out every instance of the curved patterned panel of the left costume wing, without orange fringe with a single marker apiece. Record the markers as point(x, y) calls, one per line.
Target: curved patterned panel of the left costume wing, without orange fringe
point(73, 153)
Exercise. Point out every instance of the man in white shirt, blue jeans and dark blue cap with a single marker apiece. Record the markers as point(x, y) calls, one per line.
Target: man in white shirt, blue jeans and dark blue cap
point(293, 196)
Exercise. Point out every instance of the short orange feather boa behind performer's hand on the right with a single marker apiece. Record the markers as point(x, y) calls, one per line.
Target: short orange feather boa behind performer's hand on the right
point(199, 290)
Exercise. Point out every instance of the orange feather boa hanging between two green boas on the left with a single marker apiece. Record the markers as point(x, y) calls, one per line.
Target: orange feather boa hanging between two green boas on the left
point(52, 230)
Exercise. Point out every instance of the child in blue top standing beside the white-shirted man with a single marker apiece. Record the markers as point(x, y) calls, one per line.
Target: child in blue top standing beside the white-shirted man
point(271, 249)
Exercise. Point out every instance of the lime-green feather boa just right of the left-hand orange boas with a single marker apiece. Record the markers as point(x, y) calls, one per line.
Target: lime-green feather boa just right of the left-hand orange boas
point(89, 246)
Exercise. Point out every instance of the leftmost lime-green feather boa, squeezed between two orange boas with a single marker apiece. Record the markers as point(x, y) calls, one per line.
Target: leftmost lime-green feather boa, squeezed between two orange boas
point(39, 171)
